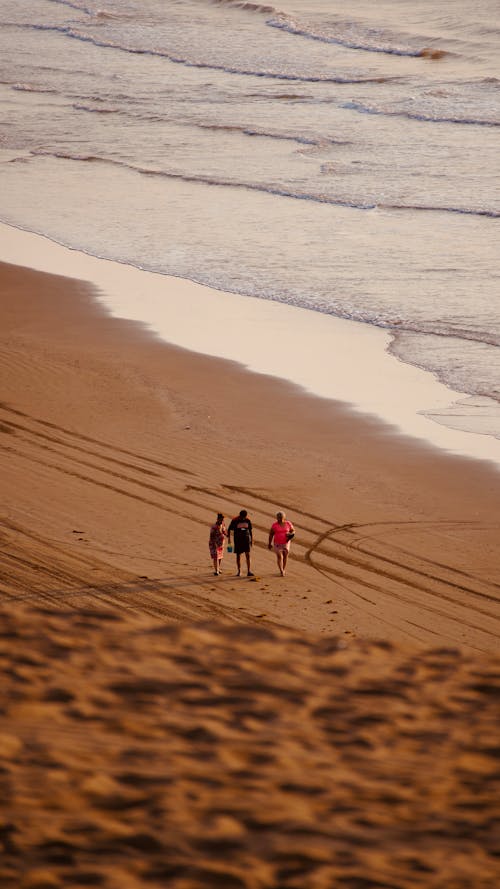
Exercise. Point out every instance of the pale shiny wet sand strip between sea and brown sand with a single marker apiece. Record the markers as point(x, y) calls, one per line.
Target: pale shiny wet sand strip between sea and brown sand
point(262, 335)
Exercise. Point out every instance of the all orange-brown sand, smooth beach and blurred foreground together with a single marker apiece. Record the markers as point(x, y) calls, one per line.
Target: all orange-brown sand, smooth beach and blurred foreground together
point(279, 744)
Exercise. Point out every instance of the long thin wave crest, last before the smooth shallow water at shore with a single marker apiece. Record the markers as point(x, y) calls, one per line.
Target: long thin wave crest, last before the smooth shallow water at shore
point(268, 189)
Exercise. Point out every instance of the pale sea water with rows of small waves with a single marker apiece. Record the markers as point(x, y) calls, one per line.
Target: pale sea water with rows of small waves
point(340, 158)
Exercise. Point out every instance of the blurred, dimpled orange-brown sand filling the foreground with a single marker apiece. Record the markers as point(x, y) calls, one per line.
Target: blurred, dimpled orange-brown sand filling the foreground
point(136, 755)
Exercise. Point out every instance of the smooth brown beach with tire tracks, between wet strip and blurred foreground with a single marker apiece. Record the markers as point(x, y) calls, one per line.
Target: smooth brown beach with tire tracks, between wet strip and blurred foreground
point(119, 450)
